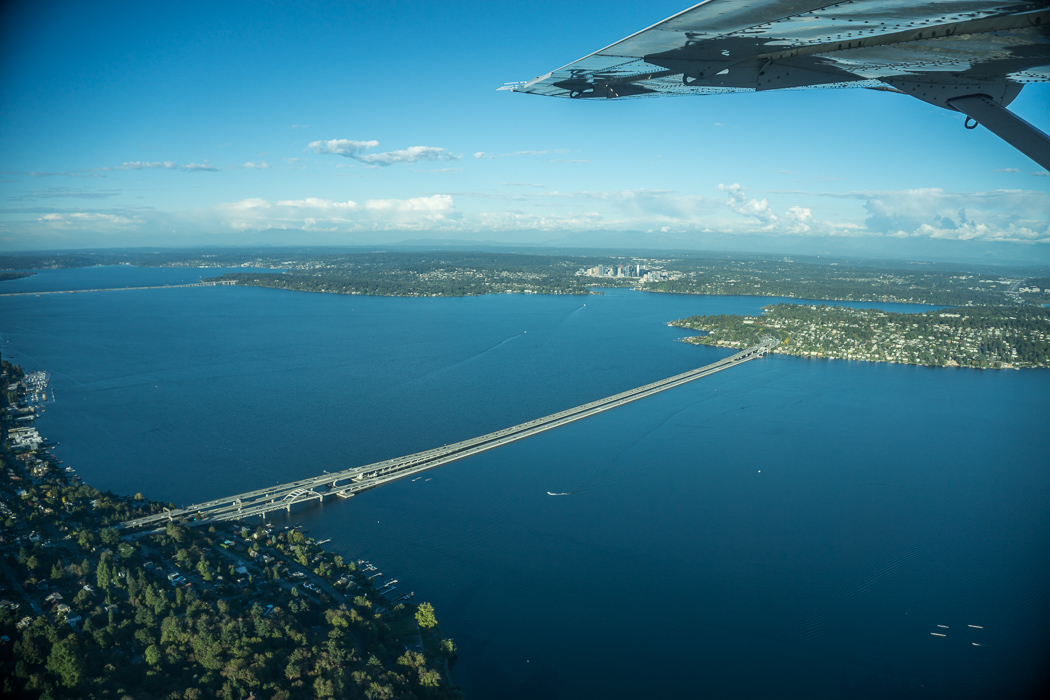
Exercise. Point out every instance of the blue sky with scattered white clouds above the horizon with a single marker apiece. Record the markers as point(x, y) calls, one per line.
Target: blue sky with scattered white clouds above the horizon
point(129, 124)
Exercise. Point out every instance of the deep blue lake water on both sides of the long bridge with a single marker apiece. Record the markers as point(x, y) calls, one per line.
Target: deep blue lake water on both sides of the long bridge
point(790, 528)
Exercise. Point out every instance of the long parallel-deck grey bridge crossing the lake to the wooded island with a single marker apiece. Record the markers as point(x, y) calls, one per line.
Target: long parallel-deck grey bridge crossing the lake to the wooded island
point(351, 482)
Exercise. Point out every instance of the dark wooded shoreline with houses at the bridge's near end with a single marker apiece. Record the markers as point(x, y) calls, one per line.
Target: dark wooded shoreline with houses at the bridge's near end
point(91, 610)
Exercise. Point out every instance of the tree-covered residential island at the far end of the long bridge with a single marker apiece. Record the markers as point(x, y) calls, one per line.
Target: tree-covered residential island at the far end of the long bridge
point(988, 337)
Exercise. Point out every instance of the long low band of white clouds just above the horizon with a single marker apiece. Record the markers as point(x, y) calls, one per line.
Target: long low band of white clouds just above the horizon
point(999, 217)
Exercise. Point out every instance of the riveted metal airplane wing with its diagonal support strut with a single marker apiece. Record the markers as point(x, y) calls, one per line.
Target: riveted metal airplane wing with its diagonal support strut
point(970, 56)
